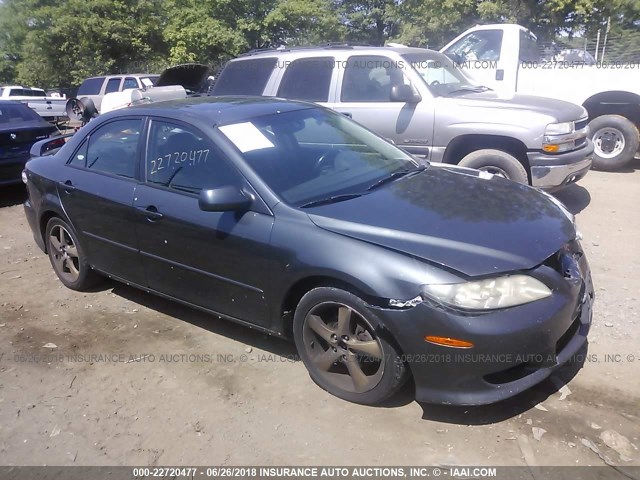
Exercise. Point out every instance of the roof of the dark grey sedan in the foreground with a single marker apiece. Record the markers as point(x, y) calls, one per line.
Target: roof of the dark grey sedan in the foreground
point(215, 110)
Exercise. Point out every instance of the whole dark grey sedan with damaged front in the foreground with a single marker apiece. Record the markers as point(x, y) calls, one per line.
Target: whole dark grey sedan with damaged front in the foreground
point(294, 220)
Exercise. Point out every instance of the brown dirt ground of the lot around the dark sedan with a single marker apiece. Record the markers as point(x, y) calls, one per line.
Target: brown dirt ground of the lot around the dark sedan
point(117, 376)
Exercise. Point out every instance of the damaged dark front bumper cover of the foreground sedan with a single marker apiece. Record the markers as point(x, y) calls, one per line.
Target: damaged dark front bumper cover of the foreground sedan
point(514, 349)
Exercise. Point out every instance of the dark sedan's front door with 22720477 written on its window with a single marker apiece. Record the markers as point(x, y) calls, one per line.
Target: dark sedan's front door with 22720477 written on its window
point(216, 260)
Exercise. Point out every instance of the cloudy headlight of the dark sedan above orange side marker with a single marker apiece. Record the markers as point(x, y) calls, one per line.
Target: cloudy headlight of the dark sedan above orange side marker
point(489, 294)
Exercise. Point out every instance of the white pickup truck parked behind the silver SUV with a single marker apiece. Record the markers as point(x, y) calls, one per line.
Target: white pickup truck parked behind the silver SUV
point(506, 58)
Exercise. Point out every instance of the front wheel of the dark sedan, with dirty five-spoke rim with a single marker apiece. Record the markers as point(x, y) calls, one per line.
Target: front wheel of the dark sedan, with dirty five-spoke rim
point(338, 339)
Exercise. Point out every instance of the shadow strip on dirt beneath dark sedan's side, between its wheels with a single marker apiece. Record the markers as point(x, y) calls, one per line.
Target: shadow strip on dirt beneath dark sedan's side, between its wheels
point(204, 320)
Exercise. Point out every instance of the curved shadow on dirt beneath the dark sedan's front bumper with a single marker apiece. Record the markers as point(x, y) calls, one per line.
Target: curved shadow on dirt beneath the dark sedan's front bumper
point(512, 407)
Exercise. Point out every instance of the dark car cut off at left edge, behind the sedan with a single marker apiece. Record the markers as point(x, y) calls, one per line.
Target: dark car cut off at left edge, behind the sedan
point(20, 128)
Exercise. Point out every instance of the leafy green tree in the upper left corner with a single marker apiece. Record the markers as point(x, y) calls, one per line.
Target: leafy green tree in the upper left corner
point(56, 44)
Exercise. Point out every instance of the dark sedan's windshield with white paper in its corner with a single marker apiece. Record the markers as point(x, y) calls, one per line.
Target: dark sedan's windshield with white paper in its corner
point(315, 155)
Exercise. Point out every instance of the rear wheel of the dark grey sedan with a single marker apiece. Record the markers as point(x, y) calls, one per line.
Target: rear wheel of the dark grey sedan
point(67, 256)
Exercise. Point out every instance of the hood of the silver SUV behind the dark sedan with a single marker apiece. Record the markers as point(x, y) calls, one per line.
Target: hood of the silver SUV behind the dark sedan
point(560, 110)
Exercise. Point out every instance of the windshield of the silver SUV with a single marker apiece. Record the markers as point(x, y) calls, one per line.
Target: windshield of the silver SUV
point(440, 74)
